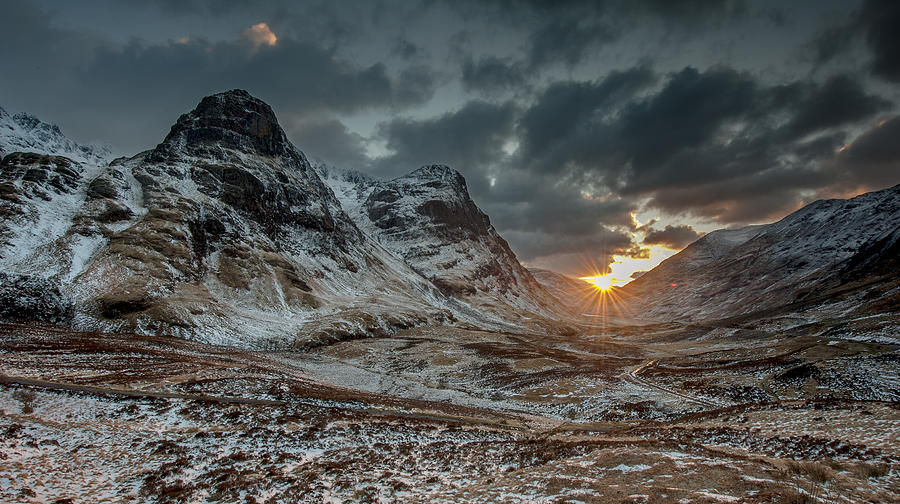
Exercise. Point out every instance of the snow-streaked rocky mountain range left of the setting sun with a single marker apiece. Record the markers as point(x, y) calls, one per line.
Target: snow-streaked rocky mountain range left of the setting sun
point(225, 233)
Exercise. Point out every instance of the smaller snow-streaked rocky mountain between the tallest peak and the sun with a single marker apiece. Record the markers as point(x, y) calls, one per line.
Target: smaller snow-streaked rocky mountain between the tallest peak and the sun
point(428, 218)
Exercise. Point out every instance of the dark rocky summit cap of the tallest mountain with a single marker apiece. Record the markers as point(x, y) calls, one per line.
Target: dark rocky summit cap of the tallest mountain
point(231, 119)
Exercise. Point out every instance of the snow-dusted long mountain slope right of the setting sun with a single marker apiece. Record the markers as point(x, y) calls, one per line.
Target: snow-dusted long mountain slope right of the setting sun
point(735, 272)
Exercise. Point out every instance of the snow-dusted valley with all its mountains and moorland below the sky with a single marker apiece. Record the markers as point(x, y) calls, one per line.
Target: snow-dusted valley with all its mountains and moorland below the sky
point(216, 319)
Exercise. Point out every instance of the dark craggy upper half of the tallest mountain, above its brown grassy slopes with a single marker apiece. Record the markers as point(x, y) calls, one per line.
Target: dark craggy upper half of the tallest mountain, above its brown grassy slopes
point(232, 150)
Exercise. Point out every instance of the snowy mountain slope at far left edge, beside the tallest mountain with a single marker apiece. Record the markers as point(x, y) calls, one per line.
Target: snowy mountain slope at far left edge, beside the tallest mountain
point(44, 179)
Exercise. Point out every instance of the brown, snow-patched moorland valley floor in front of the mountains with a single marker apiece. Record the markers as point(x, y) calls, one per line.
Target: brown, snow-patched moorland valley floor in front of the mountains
point(663, 413)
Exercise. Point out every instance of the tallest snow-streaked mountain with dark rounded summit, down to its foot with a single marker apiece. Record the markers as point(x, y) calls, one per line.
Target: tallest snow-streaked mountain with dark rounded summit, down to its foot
point(225, 233)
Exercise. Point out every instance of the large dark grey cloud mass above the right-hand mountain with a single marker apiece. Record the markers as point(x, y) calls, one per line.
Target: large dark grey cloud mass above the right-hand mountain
point(717, 143)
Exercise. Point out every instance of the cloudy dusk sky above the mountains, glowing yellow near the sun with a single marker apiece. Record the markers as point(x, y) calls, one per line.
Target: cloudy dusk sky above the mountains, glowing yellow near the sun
point(591, 132)
